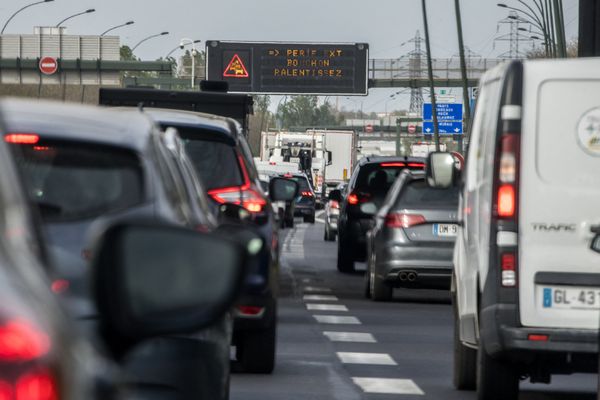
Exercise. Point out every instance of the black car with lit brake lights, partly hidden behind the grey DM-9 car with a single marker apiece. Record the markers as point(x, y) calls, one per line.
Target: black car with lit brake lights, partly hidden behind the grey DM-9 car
point(368, 186)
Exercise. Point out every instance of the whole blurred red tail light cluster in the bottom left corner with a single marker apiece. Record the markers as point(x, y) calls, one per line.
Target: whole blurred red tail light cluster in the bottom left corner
point(23, 347)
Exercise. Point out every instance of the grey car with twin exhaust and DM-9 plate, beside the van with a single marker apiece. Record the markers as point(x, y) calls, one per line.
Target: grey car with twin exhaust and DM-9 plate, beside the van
point(412, 242)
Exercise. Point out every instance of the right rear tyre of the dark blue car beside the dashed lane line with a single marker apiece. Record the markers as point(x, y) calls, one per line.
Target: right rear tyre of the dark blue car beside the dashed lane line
point(256, 350)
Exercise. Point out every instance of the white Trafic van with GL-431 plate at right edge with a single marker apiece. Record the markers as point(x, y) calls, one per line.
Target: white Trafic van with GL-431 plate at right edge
point(526, 284)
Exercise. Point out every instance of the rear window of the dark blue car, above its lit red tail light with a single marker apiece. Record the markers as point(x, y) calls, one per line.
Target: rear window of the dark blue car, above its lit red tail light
point(215, 162)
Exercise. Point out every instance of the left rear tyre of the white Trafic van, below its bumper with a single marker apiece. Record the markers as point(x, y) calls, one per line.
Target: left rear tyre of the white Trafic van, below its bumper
point(496, 379)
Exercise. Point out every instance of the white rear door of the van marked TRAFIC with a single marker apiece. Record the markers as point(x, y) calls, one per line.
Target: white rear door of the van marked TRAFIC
point(559, 276)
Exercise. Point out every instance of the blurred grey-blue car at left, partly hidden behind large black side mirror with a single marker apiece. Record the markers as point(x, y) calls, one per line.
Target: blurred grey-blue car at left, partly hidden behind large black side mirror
point(85, 167)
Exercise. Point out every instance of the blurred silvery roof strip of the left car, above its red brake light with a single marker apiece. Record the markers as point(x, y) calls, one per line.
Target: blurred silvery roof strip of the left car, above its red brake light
point(76, 122)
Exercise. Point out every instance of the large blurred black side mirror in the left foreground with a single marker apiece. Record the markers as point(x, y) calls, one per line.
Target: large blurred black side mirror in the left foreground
point(153, 279)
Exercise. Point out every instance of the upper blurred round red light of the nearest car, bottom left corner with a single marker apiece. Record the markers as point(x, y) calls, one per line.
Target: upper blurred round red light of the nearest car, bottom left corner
point(20, 341)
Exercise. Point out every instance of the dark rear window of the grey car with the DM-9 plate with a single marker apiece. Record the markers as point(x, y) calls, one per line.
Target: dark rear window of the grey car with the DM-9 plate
point(418, 193)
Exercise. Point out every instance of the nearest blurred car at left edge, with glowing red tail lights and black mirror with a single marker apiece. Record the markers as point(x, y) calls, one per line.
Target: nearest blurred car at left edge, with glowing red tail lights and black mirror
point(43, 356)
